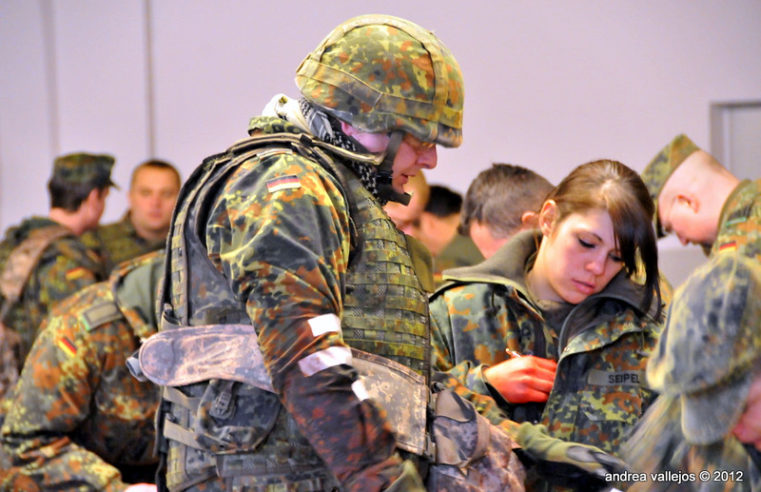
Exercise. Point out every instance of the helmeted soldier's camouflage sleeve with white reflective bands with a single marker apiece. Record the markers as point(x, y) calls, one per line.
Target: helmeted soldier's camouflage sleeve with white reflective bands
point(280, 234)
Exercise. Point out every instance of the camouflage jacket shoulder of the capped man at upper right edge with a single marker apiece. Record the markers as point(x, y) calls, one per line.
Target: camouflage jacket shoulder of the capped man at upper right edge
point(740, 222)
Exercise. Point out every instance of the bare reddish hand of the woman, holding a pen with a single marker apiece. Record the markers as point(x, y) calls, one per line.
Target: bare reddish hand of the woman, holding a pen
point(523, 379)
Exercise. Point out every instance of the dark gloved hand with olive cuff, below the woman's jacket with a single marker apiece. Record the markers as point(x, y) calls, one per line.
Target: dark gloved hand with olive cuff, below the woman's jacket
point(568, 464)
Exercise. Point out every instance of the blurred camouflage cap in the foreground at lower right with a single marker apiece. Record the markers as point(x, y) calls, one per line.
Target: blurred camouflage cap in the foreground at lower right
point(710, 349)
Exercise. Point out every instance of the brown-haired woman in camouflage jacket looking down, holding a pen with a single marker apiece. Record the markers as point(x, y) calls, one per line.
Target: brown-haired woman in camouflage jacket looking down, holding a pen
point(578, 327)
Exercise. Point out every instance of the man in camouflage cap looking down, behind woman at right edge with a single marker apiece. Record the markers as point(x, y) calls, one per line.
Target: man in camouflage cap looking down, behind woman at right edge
point(702, 202)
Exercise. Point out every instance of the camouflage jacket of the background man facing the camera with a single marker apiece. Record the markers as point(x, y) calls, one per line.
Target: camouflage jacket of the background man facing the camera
point(118, 242)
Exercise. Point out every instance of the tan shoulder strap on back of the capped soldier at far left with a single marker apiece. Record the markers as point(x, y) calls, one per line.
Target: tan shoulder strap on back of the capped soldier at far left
point(22, 261)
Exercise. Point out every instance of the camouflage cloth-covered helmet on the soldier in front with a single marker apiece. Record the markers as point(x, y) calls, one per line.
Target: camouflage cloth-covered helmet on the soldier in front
point(381, 73)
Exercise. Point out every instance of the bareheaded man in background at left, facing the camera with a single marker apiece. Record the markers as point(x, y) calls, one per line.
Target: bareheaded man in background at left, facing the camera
point(152, 194)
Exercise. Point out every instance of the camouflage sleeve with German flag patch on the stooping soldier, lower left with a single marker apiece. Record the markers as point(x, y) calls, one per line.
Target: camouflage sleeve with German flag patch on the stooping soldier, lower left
point(53, 397)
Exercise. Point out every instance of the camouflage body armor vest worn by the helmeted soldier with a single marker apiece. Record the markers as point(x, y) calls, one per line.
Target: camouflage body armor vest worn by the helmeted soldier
point(241, 432)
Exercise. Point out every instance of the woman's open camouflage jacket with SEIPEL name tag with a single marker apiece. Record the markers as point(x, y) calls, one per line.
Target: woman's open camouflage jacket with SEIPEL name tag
point(601, 345)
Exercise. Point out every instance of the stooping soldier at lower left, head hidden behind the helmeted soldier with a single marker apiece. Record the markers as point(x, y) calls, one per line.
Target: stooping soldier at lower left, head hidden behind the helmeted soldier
point(77, 418)
